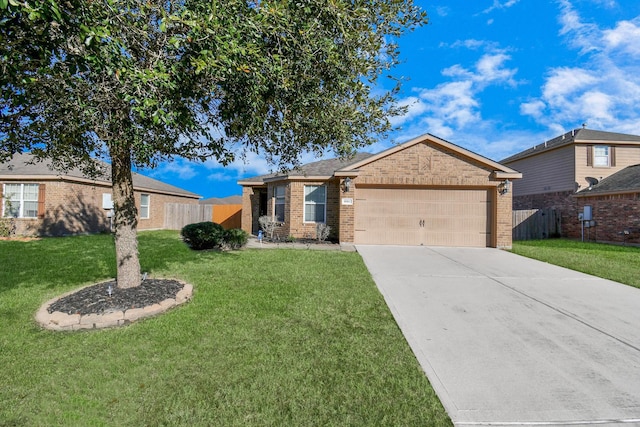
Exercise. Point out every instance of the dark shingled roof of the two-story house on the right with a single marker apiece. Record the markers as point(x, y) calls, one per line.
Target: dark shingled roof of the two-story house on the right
point(576, 136)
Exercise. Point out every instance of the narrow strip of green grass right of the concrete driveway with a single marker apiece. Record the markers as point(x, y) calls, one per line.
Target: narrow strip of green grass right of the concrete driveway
point(618, 263)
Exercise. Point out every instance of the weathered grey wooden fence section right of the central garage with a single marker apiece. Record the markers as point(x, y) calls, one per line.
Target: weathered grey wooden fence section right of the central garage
point(536, 224)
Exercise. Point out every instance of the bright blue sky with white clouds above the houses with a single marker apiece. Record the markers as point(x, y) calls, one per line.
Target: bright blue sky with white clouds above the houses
point(495, 77)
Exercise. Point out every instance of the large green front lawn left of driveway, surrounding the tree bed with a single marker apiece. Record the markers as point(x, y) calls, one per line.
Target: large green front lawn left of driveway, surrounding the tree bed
point(271, 337)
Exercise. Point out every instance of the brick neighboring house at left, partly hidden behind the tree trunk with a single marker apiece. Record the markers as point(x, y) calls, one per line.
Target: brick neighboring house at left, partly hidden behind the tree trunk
point(48, 203)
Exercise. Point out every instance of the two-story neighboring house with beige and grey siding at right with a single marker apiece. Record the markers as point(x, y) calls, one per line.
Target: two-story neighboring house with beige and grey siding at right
point(557, 171)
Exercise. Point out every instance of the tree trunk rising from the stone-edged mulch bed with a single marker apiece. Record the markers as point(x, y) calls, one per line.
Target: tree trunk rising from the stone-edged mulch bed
point(125, 218)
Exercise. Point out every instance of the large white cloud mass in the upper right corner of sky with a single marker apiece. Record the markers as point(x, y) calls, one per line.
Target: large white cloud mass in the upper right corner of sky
point(604, 91)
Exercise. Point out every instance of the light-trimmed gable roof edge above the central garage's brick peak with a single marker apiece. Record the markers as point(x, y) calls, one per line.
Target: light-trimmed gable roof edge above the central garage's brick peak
point(500, 170)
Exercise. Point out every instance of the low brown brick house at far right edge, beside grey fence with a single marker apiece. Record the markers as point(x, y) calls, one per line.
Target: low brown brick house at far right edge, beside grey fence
point(615, 207)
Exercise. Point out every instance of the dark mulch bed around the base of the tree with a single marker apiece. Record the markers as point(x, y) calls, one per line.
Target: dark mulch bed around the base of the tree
point(96, 299)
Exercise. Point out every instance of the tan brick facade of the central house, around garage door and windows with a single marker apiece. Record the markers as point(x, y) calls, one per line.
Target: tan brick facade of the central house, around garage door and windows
point(415, 165)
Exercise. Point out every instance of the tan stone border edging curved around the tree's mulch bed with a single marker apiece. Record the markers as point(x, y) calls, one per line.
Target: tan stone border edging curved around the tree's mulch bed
point(58, 321)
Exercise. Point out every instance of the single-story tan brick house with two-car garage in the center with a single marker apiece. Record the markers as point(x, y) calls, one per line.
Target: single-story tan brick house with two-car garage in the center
point(426, 191)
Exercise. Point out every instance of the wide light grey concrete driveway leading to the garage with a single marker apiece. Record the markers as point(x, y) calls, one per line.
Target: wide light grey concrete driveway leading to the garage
point(506, 340)
